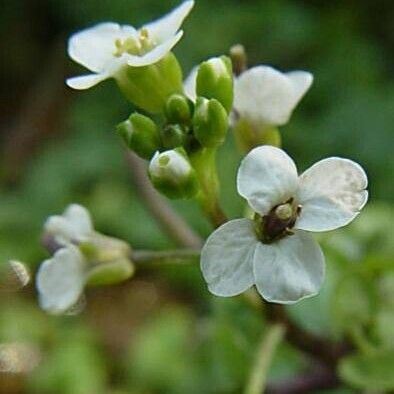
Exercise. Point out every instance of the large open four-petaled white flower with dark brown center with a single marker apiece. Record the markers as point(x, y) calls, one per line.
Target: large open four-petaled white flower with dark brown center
point(275, 252)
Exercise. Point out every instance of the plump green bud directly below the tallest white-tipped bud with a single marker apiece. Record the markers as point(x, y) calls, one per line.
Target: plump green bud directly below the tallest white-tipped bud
point(210, 122)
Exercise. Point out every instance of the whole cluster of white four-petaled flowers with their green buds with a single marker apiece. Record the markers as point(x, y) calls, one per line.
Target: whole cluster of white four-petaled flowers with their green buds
point(178, 129)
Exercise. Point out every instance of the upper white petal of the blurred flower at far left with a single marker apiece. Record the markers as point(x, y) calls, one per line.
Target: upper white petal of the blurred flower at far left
point(74, 225)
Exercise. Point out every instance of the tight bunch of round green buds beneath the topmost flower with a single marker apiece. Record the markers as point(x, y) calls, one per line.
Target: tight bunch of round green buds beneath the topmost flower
point(188, 125)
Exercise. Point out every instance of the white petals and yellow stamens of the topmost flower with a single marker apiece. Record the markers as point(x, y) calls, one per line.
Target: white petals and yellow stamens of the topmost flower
point(106, 48)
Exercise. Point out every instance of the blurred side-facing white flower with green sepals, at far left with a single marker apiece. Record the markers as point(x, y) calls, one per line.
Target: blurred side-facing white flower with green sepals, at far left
point(81, 255)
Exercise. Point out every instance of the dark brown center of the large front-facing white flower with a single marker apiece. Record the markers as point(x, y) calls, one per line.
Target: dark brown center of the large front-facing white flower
point(278, 223)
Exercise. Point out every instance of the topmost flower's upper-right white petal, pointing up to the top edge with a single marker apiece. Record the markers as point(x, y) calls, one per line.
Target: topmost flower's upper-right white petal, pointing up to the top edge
point(166, 27)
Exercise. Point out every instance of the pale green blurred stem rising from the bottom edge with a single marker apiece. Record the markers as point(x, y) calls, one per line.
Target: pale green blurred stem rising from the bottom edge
point(265, 353)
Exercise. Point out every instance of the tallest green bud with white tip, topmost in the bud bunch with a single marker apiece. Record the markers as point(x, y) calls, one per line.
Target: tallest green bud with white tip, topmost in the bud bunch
point(215, 80)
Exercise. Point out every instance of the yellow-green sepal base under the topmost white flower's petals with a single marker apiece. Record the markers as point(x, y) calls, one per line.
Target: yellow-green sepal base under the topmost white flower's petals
point(150, 86)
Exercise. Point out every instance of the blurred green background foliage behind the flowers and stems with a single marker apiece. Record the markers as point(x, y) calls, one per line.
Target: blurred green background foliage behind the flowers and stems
point(162, 332)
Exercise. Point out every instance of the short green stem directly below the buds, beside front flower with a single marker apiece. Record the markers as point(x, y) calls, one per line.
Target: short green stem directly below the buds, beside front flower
point(204, 162)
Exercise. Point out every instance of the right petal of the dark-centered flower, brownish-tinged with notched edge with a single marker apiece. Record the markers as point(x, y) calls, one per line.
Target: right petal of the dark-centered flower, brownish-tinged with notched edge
point(332, 193)
